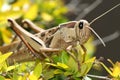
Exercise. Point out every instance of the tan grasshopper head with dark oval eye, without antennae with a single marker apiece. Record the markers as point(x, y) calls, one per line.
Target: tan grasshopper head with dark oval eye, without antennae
point(82, 32)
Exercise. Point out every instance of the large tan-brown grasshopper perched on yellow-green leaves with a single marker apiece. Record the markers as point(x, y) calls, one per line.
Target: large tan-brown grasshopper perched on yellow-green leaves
point(65, 36)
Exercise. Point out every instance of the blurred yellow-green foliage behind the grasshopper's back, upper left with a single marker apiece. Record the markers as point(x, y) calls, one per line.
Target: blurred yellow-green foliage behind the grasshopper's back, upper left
point(44, 13)
